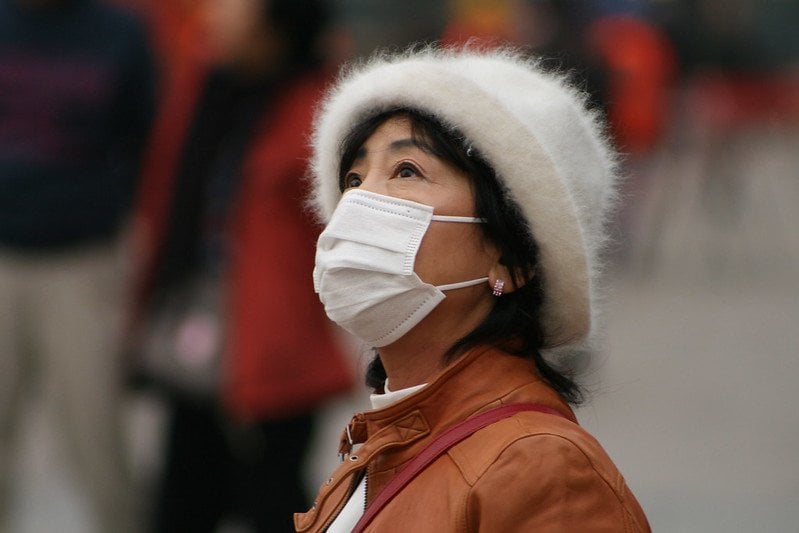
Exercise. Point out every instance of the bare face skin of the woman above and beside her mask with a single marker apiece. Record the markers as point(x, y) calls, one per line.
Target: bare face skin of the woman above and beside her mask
point(392, 163)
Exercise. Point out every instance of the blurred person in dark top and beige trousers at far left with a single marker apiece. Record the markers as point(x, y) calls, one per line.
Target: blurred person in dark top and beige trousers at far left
point(75, 107)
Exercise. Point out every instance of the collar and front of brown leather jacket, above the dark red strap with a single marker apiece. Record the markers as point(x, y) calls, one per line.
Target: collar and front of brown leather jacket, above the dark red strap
point(477, 381)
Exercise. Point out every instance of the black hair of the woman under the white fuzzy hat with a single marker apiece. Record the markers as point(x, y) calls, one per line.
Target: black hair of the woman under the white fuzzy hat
point(514, 322)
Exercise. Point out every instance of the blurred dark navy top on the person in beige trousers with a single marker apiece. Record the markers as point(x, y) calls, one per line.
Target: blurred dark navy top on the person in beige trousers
point(76, 101)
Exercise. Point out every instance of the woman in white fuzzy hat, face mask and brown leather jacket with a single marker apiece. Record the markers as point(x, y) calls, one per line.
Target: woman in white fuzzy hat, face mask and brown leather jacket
point(464, 195)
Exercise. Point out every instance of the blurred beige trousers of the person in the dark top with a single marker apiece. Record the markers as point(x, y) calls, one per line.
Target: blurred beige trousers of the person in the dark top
point(60, 318)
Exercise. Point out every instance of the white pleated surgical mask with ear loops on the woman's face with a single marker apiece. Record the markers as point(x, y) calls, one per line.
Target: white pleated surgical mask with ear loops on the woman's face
point(364, 266)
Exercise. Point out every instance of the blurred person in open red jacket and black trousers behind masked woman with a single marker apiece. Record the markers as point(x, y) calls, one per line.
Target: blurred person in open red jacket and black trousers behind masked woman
point(229, 327)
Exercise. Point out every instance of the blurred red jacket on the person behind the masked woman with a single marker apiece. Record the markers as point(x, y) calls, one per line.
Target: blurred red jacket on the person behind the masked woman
point(282, 356)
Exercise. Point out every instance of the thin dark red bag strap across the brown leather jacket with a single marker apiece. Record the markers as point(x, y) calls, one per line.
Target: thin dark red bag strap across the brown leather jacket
point(437, 448)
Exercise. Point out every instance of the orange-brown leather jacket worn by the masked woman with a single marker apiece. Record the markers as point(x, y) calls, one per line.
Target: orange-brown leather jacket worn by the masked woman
point(530, 472)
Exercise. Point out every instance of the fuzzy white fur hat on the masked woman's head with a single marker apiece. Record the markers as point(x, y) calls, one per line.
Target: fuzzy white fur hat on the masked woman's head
point(547, 149)
